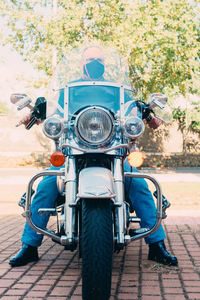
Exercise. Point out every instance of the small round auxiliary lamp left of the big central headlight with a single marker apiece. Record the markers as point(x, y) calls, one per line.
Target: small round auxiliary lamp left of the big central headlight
point(53, 127)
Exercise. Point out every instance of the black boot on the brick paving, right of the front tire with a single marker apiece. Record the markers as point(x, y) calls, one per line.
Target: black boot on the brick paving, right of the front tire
point(158, 253)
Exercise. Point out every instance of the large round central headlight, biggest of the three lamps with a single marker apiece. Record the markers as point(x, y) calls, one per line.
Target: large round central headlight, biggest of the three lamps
point(94, 126)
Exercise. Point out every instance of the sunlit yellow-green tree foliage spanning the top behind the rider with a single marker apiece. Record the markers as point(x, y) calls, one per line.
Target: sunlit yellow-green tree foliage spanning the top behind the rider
point(159, 38)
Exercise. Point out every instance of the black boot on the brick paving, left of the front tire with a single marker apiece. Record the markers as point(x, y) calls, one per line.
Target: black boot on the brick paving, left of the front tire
point(27, 254)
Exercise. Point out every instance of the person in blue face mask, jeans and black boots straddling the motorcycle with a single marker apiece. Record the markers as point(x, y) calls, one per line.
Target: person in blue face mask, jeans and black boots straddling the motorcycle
point(140, 196)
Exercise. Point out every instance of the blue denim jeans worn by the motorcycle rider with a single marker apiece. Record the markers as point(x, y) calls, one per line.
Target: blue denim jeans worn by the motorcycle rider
point(140, 197)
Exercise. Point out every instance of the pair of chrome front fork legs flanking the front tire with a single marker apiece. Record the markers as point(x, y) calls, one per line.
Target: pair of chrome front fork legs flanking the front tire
point(71, 199)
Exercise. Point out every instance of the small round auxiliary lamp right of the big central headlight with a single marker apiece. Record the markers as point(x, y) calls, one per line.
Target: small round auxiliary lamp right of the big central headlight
point(133, 127)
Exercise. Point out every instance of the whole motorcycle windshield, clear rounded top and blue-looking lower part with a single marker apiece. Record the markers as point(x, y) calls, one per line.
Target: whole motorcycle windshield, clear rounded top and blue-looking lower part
point(79, 67)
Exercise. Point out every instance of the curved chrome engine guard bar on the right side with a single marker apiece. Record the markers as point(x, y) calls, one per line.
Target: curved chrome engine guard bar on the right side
point(159, 204)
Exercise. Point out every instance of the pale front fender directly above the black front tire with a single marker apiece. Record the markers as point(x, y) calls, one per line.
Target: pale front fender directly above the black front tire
point(96, 182)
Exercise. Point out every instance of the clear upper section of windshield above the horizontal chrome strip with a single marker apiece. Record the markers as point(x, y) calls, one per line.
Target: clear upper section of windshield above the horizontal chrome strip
point(71, 66)
